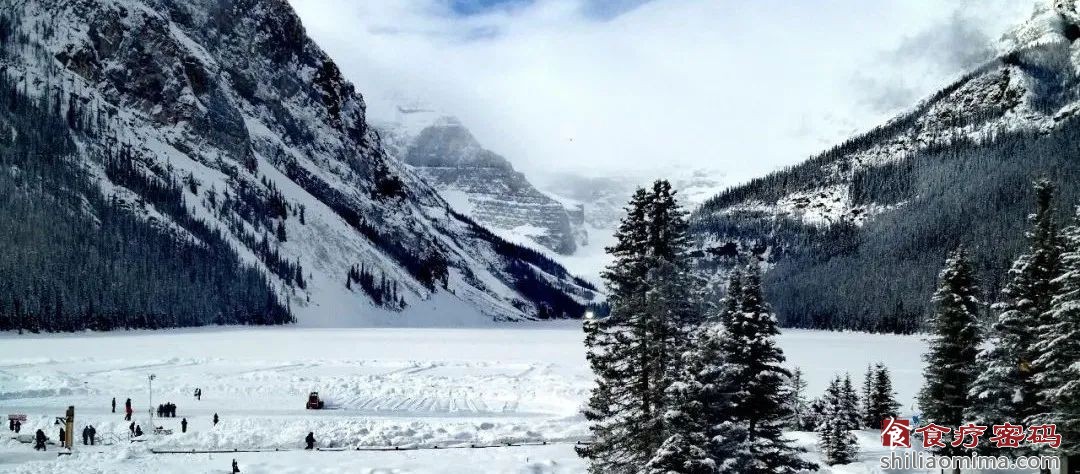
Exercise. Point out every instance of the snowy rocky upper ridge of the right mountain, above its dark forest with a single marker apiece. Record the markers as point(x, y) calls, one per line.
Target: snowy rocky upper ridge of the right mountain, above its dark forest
point(1031, 87)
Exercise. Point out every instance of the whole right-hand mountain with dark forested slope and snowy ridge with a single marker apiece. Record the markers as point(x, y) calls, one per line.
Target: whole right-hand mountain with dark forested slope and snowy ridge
point(856, 235)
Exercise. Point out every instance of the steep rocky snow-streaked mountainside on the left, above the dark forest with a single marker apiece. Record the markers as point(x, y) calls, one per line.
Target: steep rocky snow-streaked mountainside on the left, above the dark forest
point(272, 144)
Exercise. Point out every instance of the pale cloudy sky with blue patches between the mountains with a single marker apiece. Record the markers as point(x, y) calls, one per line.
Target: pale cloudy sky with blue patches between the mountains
point(623, 87)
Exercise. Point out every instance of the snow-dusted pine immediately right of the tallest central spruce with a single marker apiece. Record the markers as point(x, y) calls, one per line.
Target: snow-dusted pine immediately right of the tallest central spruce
point(752, 350)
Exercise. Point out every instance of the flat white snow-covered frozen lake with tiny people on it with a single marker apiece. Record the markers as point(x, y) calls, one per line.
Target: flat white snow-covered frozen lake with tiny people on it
point(385, 387)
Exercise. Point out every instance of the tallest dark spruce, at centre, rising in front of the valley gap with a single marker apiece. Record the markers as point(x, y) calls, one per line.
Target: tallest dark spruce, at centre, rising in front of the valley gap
point(634, 351)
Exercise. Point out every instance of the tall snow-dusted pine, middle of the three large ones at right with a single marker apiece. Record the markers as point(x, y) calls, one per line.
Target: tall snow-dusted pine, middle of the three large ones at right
point(1006, 387)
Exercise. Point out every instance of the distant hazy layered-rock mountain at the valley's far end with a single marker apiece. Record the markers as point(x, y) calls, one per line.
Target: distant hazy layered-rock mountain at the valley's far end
point(479, 183)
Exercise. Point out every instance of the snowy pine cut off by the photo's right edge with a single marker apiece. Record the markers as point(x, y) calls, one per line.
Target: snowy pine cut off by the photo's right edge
point(1059, 346)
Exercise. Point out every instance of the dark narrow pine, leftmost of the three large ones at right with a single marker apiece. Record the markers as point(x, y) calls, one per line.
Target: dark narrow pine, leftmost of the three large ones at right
point(954, 344)
